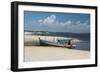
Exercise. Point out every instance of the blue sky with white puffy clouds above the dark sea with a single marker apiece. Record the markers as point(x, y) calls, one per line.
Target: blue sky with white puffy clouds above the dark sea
point(57, 22)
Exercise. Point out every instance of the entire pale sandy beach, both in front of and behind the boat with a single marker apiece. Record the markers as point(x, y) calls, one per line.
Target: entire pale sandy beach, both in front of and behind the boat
point(34, 52)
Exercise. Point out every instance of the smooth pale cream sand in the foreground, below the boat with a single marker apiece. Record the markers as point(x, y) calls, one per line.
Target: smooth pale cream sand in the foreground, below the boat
point(40, 53)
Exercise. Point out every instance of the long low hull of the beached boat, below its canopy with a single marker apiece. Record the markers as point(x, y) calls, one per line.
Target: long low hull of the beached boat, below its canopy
point(57, 44)
